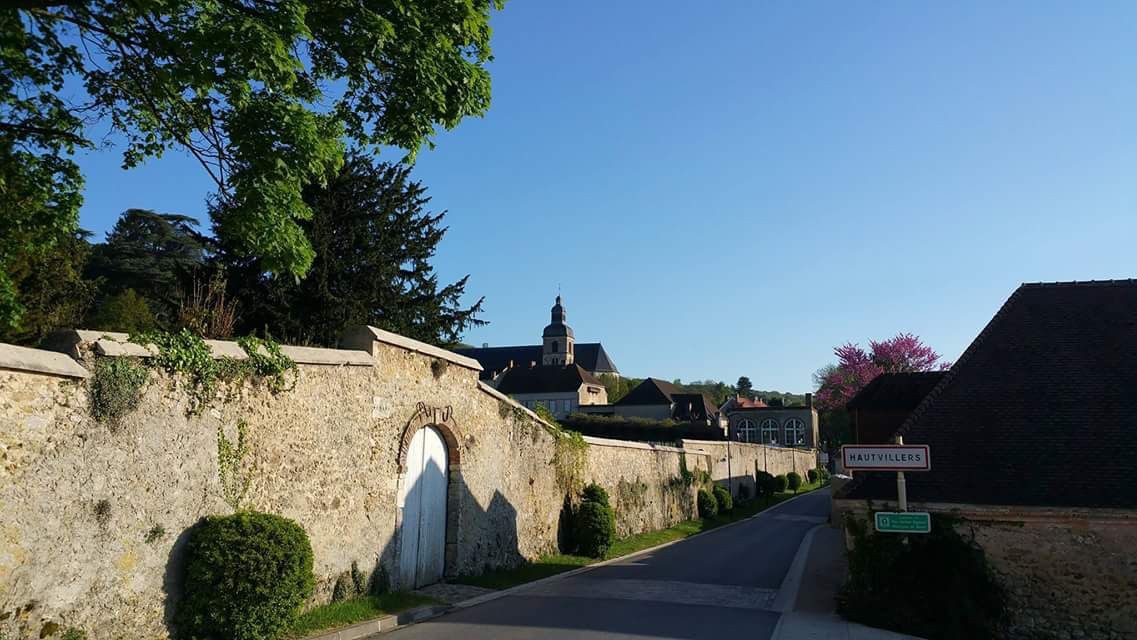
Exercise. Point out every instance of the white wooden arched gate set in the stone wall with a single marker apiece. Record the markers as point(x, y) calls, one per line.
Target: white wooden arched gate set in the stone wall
point(424, 537)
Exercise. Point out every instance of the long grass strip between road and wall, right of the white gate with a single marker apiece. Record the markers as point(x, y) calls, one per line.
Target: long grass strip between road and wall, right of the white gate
point(560, 563)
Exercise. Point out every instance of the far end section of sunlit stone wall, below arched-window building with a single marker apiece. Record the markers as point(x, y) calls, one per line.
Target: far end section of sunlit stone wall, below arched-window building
point(748, 460)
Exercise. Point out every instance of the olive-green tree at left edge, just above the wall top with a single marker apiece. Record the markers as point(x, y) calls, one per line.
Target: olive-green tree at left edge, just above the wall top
point(52, 288)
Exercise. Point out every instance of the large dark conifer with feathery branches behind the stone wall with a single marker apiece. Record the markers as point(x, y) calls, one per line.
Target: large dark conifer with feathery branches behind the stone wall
point(375, 240)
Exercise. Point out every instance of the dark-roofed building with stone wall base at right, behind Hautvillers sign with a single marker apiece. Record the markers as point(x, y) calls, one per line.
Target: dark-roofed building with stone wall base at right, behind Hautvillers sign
point(1033, 438)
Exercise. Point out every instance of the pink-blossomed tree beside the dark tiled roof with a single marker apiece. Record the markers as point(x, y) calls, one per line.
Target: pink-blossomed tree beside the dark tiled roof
point(857, 368)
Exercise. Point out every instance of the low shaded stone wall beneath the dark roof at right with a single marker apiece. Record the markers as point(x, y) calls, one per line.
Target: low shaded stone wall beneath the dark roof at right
point(1069, 575)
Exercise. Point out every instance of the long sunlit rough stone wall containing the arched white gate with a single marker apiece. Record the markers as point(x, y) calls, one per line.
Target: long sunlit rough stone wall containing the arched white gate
point(96, 517)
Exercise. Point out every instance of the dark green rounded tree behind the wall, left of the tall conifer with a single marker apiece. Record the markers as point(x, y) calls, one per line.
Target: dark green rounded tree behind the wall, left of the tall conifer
point(152, 254)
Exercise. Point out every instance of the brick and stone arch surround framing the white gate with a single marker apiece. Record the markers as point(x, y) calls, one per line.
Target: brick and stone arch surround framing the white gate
point(439, 420)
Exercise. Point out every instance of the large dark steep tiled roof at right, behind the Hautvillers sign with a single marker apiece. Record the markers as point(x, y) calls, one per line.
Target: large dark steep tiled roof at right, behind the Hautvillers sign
point(1040, 411)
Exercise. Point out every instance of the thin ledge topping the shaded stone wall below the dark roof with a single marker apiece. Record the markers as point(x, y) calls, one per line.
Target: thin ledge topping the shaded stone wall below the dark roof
point(997, 513)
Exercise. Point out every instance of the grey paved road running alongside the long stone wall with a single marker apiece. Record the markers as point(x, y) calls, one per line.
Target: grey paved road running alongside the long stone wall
point(721, 585)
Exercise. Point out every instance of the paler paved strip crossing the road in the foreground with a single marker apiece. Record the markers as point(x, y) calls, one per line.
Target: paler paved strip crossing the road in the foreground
point(673, 592)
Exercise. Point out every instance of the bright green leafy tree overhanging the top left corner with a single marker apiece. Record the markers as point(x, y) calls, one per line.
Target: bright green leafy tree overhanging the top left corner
point(261, 93)
